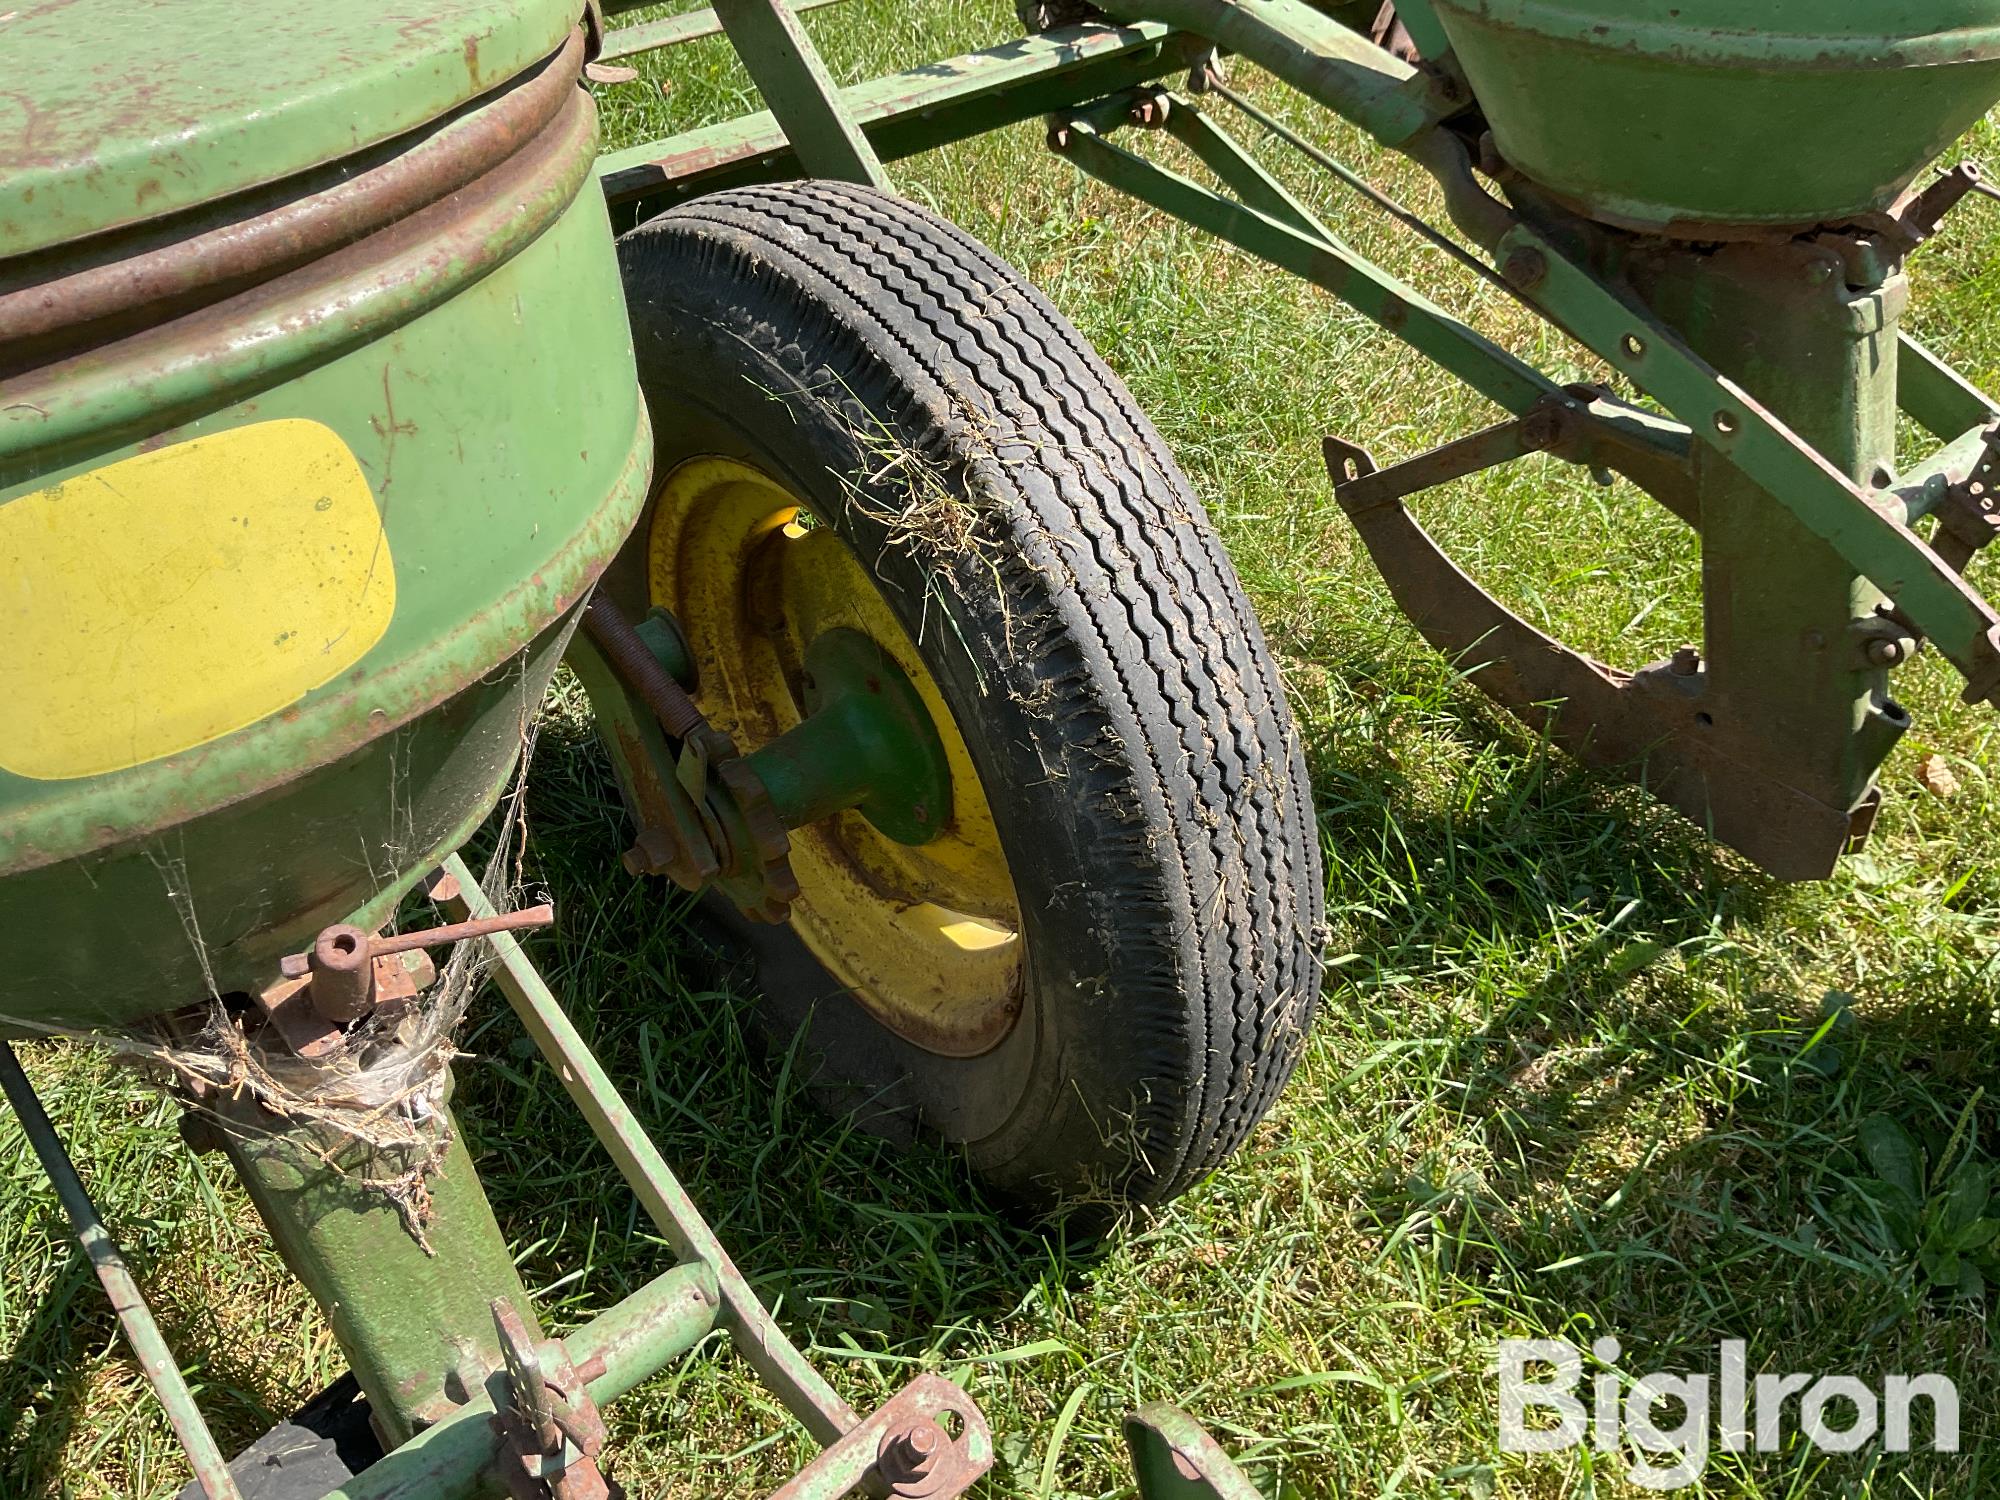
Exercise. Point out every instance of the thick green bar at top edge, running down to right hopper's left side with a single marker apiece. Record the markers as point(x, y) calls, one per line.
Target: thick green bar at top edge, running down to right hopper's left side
point(1317, 55)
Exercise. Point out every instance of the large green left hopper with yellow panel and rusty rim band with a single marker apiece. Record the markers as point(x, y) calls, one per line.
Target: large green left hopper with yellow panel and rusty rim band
point(239, 491)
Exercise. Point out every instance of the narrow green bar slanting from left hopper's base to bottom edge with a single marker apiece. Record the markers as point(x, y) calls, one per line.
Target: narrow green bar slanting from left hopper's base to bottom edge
point(757, 1335)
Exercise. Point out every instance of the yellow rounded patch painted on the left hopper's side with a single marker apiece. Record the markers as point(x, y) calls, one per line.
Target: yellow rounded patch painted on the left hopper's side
point(181, 595)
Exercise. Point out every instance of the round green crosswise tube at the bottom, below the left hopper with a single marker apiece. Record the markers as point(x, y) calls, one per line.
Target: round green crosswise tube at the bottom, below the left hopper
point(453, 1459)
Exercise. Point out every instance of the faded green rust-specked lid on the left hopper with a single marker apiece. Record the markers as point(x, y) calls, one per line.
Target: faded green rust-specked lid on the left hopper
point(125, 111)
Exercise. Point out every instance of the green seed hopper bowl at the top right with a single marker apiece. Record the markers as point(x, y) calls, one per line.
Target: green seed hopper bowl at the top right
point(1707, 119)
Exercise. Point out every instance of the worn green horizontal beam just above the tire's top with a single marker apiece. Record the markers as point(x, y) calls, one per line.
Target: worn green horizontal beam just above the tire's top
point(915, 111)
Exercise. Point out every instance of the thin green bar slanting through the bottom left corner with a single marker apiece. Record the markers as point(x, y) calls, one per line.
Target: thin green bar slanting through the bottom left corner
point(155, 1359)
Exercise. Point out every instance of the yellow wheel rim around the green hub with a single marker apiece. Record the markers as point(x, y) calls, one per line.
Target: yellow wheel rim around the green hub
point(927, 937)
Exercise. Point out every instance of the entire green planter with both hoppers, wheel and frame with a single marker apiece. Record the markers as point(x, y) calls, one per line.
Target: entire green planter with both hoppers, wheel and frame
point(333, 415)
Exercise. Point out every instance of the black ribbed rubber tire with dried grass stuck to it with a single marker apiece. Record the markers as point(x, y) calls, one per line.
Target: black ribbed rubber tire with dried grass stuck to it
point(1131, 733)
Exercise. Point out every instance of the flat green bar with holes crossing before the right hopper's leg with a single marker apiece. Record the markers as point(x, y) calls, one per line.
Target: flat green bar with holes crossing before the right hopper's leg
point(1729, 421)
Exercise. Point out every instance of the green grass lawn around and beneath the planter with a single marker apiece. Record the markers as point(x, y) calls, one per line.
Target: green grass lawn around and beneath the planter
point(1579, 1073)
